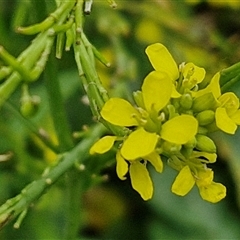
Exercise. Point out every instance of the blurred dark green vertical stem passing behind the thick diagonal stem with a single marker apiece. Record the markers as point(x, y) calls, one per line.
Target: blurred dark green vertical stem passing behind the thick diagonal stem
point(73, 185)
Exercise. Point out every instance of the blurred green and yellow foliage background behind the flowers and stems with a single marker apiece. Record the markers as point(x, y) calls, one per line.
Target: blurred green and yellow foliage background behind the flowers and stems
point(204, 32)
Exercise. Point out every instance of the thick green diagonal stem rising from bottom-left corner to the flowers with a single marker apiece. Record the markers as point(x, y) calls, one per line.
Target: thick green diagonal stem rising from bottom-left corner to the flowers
point(14, 206)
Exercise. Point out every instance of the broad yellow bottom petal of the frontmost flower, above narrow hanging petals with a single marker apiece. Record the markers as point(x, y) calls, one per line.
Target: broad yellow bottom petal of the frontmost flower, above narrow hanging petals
point(139, 143)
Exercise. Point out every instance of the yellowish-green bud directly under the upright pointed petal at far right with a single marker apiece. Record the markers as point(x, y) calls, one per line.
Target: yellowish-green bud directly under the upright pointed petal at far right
point(204, 102)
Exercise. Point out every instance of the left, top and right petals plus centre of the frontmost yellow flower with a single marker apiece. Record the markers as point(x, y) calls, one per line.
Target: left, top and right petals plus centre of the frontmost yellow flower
point(179, 129)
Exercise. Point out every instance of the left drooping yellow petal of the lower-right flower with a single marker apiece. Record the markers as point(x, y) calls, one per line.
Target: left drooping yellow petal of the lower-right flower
point(184, 182)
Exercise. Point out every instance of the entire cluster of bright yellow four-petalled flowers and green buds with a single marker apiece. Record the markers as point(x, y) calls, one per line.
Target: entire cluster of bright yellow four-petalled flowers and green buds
point(171, 120)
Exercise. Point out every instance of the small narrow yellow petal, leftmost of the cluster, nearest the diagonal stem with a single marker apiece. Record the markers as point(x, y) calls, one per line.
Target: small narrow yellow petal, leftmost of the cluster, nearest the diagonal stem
point(103, 145)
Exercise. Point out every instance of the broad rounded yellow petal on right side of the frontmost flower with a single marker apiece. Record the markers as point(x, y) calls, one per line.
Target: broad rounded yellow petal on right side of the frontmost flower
point(179, 129)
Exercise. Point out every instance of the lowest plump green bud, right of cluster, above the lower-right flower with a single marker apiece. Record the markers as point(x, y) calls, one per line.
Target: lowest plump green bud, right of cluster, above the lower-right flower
point(205, 144)
